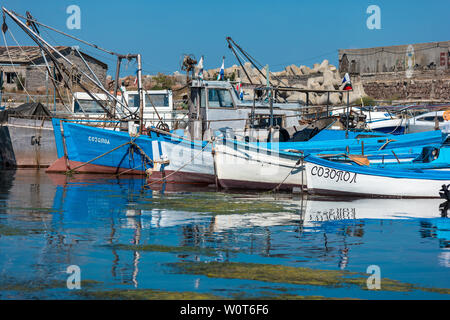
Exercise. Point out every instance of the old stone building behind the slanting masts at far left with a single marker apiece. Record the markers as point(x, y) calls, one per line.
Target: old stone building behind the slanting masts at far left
point(26, 66)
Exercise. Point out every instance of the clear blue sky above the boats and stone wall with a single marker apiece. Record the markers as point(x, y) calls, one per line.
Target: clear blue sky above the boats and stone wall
point(277, 33)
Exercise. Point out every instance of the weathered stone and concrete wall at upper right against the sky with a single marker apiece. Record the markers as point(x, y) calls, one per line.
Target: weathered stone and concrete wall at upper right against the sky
point(416, 72)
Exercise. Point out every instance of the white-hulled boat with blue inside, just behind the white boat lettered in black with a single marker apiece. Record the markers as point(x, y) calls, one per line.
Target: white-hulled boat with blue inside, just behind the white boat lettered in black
point(279, 166)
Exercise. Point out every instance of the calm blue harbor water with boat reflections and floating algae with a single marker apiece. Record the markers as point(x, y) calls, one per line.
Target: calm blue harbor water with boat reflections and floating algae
point(126, 240)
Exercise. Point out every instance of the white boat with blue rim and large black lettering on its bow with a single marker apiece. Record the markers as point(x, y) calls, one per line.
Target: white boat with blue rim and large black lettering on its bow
point(334, 178)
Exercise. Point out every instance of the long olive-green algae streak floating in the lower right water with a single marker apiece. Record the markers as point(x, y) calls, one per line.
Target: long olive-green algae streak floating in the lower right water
point(293, 275)
